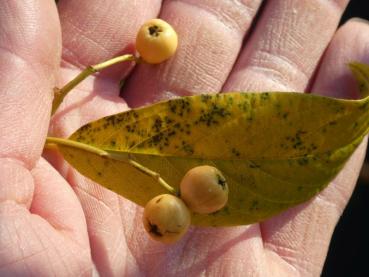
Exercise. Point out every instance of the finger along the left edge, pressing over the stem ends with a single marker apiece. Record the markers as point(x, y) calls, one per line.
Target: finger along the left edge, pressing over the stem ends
point(29, 54)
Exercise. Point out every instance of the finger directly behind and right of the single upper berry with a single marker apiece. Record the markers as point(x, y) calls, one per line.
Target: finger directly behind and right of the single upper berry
point(210, 36)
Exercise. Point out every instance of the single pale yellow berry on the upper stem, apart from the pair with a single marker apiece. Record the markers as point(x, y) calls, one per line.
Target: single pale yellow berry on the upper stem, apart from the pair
point(156, 41)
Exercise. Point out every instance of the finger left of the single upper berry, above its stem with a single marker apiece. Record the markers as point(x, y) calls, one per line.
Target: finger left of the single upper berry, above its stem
point(94, 31)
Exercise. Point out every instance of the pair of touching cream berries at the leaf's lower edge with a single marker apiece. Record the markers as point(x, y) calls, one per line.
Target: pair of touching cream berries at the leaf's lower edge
point(203, 190)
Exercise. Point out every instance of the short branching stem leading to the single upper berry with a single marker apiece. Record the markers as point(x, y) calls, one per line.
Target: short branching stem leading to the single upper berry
point(59, 94)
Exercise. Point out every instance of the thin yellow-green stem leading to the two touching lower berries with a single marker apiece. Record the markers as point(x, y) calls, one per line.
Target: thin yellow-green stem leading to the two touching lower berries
point(52, 142)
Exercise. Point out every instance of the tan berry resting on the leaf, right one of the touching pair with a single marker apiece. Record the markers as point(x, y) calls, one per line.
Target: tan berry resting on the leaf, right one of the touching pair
point(204, 189)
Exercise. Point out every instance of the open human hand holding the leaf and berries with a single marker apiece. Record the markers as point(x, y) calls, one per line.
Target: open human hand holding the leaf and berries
point(57, 222)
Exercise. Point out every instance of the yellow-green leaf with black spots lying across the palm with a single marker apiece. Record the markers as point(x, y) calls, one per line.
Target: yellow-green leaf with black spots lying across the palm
point(276, 150)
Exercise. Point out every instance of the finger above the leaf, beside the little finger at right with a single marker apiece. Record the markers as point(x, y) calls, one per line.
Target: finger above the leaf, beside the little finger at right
point(286, 45)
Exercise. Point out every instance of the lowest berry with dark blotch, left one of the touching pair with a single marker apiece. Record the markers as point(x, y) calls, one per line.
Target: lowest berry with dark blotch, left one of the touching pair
point(166, 218)
